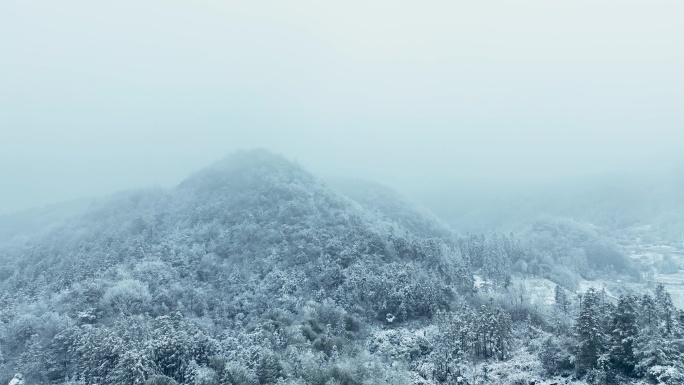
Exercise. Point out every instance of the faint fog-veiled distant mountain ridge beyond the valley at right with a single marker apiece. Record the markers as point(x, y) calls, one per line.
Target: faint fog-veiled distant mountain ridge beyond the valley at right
point(617, 201)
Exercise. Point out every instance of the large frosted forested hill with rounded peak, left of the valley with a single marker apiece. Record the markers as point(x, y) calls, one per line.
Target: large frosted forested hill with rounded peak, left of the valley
point(253, 244)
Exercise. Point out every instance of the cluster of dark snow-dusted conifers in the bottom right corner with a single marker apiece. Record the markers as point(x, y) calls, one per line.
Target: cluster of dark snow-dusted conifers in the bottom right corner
point(630, 339)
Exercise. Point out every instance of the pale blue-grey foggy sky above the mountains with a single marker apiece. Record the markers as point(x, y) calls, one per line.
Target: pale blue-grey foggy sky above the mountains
point(100, 96)
